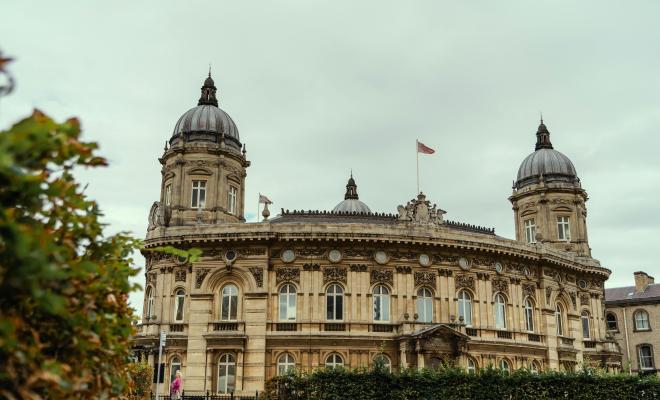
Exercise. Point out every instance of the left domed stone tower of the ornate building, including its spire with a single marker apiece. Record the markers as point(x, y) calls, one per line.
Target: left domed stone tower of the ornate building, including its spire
point(204, 168)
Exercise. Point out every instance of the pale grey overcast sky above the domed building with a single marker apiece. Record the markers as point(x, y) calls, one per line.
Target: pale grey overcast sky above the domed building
point(319, 87)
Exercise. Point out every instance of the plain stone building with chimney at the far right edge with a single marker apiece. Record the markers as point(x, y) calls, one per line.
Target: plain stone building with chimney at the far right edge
point(631, 317)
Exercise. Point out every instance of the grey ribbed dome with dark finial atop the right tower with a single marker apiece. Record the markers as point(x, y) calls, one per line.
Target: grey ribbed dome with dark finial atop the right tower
point(545, 162)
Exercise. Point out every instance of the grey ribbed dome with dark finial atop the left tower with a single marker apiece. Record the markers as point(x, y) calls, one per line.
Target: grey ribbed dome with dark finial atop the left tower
point(207, 122)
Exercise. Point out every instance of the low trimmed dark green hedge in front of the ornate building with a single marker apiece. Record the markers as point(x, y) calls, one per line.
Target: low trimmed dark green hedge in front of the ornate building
point(451, 383)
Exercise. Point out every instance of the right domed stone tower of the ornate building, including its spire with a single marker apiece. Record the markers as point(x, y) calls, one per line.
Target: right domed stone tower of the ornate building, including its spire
point(548, 199)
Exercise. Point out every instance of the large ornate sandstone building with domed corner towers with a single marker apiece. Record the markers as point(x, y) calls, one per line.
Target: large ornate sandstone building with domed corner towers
point(351, 287)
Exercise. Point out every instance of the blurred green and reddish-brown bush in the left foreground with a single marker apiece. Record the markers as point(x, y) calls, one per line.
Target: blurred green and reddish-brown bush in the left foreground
point(64, 315)
